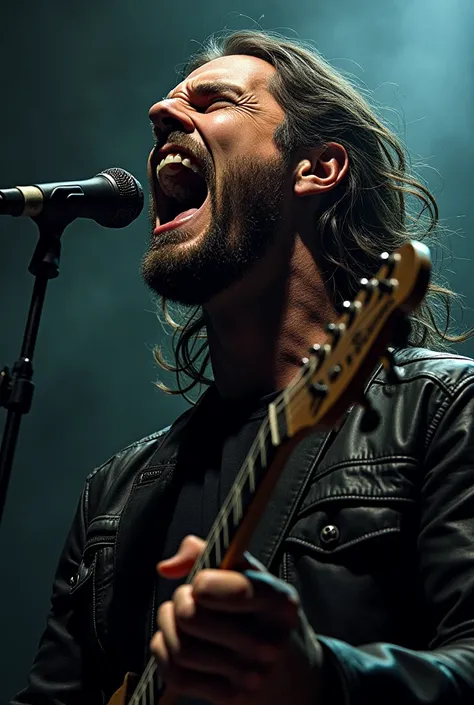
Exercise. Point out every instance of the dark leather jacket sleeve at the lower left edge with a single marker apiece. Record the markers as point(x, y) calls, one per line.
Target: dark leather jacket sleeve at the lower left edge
point(57, 675)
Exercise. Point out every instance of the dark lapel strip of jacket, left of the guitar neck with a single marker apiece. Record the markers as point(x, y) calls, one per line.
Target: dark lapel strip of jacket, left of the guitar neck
point(140, 536)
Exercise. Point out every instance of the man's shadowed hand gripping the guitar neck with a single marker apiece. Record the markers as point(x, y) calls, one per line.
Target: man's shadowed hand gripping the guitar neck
point(227, 636)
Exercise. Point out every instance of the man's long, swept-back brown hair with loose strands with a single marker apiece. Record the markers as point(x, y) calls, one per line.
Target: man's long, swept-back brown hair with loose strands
point(376, 208)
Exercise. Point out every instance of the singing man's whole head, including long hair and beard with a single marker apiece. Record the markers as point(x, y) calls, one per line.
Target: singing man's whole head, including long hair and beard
point(296, 139)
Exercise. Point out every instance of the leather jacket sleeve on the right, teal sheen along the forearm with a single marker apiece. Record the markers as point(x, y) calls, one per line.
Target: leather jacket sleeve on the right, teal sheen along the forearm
point(444, 674)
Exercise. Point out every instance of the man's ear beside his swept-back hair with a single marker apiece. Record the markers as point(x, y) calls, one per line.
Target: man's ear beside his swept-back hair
point(321, 170)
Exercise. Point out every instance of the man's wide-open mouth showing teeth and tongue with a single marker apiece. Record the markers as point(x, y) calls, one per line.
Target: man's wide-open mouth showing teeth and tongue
point(180, 188)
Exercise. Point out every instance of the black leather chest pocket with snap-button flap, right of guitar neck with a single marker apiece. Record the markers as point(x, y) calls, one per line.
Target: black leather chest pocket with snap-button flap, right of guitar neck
point(350, 552)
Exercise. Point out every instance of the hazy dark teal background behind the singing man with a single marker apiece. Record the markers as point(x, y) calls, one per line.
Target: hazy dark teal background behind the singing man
point(76, 83)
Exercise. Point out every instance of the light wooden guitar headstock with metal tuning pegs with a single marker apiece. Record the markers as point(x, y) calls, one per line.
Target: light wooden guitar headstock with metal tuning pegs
point(334, 374)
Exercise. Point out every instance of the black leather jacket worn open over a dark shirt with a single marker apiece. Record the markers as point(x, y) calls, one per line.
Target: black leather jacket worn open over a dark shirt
point(381, 551)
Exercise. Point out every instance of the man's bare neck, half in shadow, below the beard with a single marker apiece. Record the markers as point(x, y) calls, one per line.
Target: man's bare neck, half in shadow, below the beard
point(261, 327)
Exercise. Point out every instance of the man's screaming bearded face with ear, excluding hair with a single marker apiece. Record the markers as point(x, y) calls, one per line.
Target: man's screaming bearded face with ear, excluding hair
point(232, 196)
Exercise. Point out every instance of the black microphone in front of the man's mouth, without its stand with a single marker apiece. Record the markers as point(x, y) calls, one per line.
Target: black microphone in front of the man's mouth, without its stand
point(113, 198)
